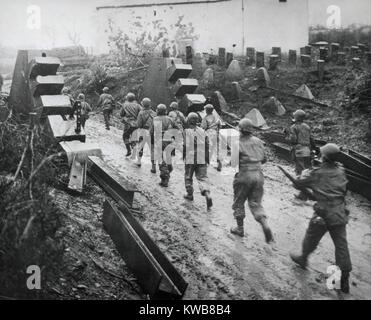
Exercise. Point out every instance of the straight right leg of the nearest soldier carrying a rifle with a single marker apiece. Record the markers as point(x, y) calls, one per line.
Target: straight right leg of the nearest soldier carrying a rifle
point(342, 256)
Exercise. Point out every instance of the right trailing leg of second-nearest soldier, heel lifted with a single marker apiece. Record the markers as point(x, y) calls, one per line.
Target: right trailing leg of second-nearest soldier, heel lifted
point(255, 197)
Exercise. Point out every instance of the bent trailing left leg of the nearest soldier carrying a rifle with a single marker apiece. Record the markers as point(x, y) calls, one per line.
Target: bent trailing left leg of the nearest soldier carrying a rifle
point(316, 230)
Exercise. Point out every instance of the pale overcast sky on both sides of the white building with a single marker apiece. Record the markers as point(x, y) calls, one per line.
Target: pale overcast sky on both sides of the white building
point(63, 19)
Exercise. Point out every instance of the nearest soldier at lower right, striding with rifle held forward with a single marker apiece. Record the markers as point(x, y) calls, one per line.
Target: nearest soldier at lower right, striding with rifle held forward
point(328, 183)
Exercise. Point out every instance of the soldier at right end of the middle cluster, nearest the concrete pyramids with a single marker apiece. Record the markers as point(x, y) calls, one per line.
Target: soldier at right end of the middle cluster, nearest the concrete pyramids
point(211, 124)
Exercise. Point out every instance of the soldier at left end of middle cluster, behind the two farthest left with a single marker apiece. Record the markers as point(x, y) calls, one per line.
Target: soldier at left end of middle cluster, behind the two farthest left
point(129, 112)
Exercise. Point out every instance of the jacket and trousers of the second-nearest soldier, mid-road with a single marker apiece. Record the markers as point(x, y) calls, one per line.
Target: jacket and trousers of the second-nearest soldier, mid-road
point(248, 183)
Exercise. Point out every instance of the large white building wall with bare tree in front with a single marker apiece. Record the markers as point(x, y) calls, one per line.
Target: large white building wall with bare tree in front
point(209, 25)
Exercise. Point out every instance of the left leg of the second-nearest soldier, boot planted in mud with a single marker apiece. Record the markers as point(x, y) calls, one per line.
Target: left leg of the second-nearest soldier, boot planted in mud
point(240, 194)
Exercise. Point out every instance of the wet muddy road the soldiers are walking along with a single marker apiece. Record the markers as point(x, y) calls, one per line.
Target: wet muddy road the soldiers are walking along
point(218, 265)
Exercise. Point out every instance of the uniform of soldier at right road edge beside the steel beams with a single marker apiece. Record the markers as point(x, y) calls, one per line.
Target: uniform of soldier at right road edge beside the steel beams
point(300, 139)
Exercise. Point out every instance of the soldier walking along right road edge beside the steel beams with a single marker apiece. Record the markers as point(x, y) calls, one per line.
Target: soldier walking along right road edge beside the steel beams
point(299, 136)
